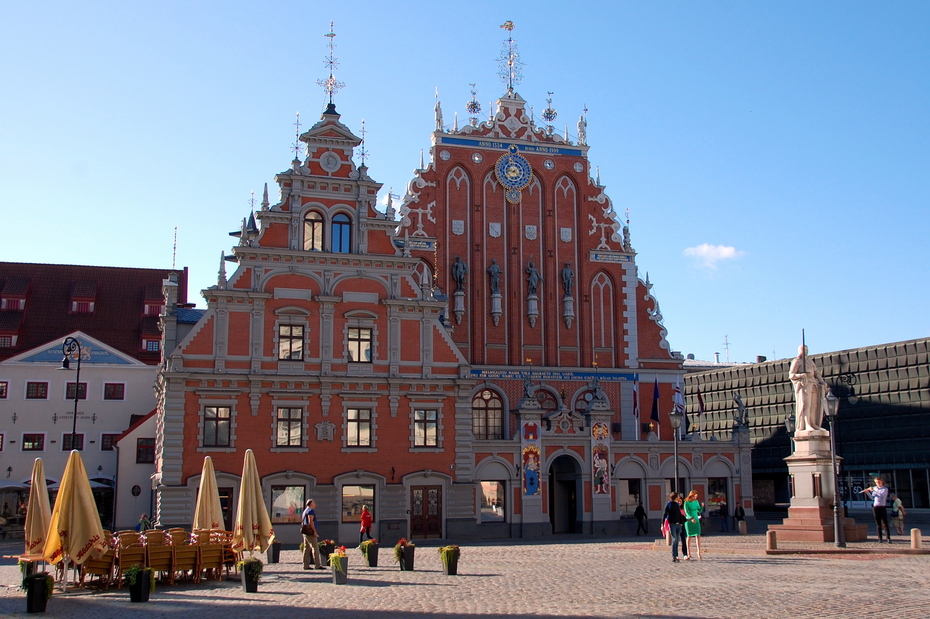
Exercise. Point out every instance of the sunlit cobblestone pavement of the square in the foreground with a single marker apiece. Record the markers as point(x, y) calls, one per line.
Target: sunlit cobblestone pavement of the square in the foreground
point(563, 577)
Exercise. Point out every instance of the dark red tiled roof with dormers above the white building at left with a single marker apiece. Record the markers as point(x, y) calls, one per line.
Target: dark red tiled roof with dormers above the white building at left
point(117, 316)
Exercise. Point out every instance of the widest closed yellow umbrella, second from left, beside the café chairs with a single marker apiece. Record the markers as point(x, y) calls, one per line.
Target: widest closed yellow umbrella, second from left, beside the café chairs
point(74, 531)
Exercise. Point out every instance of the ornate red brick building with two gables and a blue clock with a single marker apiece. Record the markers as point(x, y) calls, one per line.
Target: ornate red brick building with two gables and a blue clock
point(467, 371)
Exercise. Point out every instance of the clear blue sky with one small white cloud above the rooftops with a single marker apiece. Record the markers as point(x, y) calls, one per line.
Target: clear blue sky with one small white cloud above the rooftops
point(775, 157)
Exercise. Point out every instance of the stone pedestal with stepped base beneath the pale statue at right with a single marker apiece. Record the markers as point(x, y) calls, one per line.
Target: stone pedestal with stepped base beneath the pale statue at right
point(810, 516)
